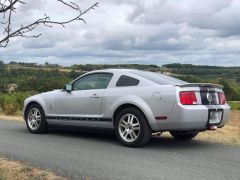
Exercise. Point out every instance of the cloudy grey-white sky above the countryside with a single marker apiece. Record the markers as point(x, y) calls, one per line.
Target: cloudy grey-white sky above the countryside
point(132, 31)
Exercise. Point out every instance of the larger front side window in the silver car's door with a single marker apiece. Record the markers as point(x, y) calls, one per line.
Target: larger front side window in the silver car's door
point(93, 81)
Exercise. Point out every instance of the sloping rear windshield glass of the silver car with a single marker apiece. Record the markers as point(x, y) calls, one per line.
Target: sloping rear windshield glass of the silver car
point(159, 78)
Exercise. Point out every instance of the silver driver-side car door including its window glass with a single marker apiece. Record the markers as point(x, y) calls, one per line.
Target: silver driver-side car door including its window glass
point(86, 97)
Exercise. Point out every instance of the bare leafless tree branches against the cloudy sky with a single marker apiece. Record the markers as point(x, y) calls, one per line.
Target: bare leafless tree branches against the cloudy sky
point(8, 10)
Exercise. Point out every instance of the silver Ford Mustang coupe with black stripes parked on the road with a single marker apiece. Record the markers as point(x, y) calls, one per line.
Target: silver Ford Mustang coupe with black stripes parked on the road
point(134, 103)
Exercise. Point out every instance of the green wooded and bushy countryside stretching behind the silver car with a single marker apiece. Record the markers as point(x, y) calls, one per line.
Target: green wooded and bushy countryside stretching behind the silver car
point(21, 80)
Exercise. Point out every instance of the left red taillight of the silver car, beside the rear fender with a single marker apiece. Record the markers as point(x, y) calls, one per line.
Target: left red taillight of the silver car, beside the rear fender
point(188, 98)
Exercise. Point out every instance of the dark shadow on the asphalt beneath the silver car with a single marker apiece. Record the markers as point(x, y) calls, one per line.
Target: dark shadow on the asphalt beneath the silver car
point(108, 136)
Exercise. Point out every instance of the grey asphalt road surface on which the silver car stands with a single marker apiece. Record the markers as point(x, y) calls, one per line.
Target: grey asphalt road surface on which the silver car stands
point(81, 155)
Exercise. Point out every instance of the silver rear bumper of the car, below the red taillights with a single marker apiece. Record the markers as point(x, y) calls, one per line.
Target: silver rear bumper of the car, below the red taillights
point(193, 117)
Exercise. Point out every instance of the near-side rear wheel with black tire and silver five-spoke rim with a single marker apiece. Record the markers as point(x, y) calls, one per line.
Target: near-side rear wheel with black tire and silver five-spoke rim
point(132, 128)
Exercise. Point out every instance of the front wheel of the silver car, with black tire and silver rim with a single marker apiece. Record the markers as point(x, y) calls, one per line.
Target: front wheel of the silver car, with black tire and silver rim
point(35, 119)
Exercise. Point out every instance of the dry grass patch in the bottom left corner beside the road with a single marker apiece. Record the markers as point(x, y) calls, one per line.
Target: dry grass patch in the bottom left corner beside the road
point(18, 171)
